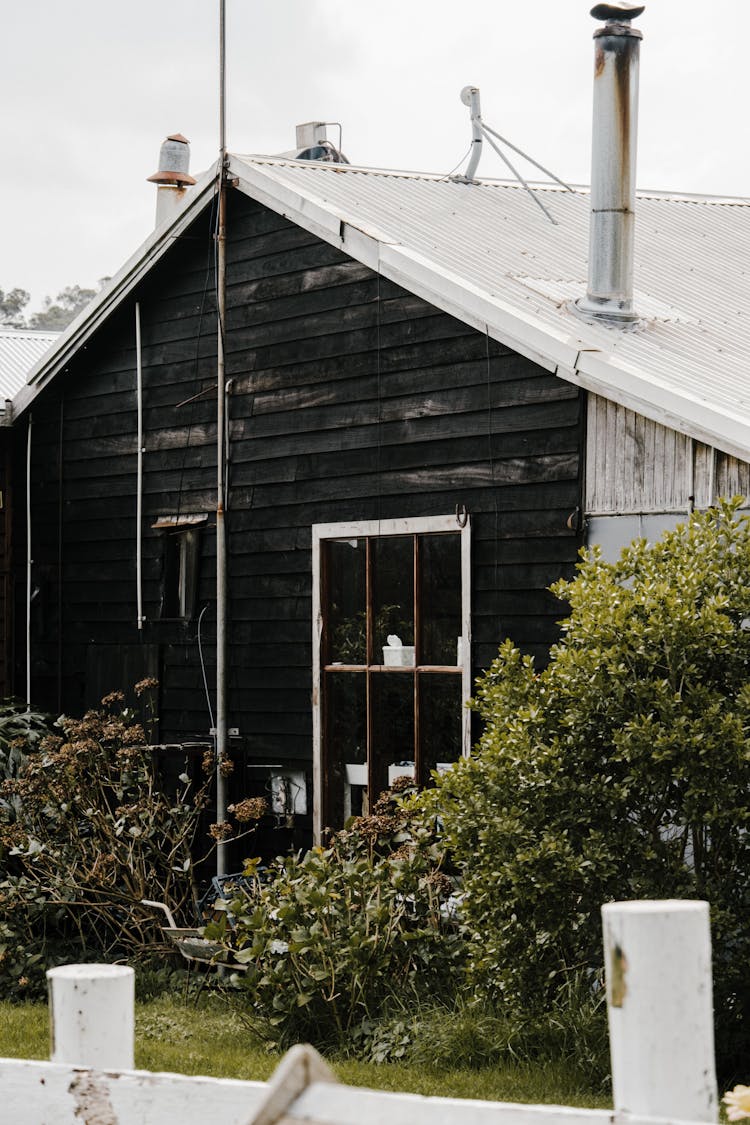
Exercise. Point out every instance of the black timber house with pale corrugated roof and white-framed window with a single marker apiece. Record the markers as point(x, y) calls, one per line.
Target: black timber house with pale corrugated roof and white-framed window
point(419, 429)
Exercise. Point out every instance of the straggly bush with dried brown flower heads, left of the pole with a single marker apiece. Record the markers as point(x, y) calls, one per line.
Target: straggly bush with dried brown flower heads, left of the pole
point(87, 831)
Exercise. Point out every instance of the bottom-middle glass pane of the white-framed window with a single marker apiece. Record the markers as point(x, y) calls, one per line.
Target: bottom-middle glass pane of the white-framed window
point(393, 727)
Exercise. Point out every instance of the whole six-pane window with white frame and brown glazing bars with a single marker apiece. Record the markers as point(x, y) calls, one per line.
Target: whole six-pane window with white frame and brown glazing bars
point(392, 651)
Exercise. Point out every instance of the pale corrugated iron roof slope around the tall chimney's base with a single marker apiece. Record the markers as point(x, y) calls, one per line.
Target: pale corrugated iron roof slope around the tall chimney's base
point(692, 266)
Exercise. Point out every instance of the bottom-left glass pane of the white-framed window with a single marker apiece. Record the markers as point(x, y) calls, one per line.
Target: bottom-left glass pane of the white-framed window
point(346, 760)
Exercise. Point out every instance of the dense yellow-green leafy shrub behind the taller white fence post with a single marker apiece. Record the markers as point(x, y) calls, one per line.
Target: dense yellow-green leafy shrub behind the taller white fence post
point(621, 771)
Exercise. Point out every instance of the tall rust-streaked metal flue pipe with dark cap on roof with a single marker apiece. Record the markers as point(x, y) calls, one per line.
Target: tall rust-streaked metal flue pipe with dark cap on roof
point(610, 292)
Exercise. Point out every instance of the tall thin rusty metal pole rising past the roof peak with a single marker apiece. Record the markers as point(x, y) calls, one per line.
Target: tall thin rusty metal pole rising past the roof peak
point(221, 457)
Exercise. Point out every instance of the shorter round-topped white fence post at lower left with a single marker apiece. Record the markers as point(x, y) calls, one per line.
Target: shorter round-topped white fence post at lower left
point(93, 1016)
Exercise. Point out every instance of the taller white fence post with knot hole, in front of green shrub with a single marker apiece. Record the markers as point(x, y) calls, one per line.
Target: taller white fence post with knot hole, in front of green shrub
point(657, 959)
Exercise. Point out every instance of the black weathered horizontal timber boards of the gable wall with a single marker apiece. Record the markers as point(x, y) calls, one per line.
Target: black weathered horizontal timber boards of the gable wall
point(350, 400)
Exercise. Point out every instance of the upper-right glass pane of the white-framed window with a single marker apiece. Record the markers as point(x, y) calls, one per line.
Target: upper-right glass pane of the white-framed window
point(440, 599)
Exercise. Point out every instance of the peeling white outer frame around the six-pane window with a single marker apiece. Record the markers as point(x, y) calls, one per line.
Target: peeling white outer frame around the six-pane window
point(418, 526)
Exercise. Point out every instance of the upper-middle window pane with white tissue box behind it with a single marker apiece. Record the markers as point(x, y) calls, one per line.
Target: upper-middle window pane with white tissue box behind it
point(393, 599)
